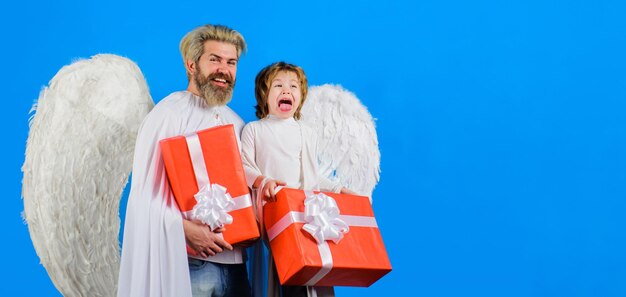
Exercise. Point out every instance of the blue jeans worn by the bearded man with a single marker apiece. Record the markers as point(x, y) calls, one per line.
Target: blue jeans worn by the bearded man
point(210, 279)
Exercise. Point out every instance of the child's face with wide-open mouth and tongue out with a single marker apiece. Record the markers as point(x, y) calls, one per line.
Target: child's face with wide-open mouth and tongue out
point(284, 95)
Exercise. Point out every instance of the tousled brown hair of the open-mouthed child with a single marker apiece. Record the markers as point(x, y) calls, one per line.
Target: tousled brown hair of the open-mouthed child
point(264, 79)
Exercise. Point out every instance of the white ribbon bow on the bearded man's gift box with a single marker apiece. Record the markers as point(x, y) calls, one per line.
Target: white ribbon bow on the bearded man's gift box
point(213, 206)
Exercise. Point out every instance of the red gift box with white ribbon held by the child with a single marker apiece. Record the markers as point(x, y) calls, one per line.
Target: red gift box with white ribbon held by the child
point(359, 259)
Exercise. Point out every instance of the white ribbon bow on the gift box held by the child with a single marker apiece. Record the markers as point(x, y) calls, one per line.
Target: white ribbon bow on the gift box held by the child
point(322, 217)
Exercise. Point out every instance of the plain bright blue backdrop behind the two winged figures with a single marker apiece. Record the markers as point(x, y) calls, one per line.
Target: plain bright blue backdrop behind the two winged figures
point(501, 124)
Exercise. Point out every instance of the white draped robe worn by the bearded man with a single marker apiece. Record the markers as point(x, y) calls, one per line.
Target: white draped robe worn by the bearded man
point(154, 256)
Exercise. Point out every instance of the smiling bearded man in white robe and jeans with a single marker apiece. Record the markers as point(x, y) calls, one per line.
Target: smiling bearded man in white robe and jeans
point(154, 258)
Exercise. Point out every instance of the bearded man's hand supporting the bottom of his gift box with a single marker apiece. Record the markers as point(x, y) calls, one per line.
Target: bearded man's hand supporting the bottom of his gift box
point(204, 241)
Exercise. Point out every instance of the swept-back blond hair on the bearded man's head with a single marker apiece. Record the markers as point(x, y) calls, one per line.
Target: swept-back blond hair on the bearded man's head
point(192, 45)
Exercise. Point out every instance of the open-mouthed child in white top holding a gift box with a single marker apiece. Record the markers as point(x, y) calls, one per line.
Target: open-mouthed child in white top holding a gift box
point(277, 150)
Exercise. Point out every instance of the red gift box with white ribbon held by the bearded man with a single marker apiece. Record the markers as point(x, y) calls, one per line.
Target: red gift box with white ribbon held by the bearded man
point(210, 156)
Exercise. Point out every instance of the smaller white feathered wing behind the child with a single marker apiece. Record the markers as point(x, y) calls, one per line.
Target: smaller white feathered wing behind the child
point(348, 145)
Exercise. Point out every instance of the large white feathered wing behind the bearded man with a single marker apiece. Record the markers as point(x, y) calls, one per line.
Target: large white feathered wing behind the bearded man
point(78, 157)
